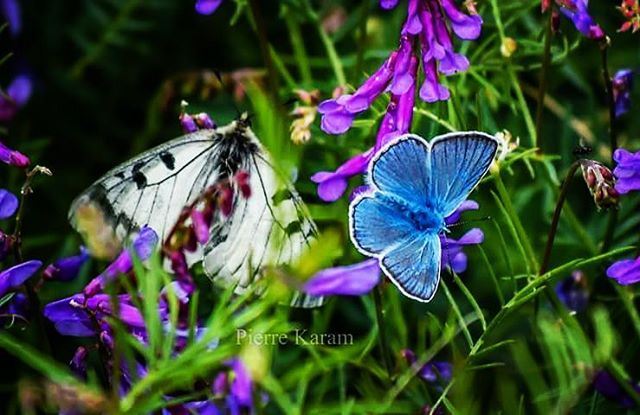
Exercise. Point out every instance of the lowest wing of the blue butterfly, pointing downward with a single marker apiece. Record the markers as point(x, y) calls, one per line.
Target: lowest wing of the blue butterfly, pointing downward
point(414, 266)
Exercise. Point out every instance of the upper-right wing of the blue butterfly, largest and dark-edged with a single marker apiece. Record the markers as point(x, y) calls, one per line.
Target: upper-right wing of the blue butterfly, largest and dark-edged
point(458, 162)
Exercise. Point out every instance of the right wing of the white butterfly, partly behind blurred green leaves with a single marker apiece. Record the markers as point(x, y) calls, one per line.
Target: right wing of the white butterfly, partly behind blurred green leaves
point(272, 227)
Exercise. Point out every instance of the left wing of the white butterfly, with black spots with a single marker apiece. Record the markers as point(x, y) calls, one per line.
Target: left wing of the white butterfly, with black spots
point(150, 189)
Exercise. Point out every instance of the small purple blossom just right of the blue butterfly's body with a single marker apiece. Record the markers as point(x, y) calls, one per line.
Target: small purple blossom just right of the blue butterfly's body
point(452, 256)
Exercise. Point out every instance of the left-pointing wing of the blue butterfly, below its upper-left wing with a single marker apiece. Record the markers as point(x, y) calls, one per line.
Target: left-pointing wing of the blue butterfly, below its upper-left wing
point(376, 224)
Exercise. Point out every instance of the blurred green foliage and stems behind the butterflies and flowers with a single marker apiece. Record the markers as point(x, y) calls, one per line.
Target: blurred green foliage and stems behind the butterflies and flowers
point(101, 69)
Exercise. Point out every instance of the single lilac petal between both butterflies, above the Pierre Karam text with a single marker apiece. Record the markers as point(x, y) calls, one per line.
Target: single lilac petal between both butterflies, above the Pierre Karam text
point(356, 279)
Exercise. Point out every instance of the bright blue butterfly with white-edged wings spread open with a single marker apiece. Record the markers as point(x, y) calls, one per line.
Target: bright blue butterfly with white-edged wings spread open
point(414, 185)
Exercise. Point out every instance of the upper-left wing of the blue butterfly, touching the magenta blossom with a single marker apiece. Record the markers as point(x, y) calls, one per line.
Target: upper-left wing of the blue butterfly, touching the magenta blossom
point(403, 169)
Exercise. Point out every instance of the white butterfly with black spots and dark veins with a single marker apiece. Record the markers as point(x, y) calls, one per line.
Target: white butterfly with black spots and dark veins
point(272, 227)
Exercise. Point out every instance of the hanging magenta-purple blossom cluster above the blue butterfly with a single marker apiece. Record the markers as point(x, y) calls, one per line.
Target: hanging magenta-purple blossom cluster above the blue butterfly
point(429, 24)
